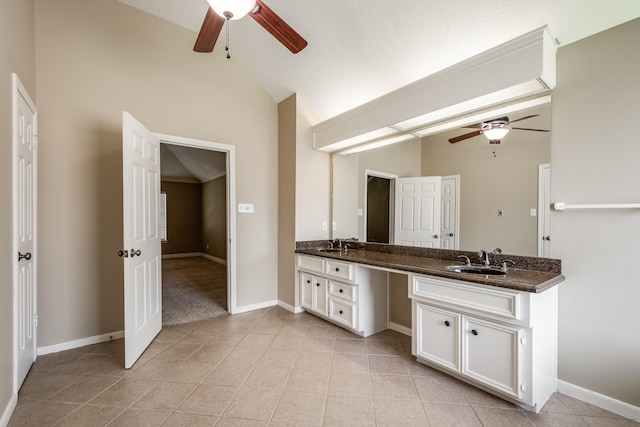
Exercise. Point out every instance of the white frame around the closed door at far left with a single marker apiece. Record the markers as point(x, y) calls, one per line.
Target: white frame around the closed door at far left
point(19, 91)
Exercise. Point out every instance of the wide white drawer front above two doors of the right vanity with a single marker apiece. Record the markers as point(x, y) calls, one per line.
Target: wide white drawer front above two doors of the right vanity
point(479, 299)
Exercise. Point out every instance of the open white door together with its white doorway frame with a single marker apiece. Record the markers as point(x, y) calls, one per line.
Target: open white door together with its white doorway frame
point(142, 235)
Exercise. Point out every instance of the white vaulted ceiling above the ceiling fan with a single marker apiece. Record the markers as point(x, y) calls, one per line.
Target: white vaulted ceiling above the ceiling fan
point(361, 49)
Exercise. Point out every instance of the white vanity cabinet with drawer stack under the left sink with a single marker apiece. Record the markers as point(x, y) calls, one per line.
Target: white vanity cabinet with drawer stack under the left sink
point(347, 294)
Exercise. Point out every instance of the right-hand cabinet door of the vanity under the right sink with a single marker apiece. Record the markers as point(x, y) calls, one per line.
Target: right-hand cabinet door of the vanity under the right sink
point(491, 354)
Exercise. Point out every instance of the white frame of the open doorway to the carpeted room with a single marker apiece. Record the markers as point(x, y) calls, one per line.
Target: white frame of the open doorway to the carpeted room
point(231, 202)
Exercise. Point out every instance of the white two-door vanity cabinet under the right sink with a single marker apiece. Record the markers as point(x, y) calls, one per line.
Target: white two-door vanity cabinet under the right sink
point(498, 339)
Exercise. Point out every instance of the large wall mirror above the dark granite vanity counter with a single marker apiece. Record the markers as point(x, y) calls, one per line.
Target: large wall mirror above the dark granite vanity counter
point(501, 187)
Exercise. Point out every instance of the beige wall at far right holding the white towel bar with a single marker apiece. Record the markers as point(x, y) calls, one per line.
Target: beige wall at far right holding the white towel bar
point(595, 152)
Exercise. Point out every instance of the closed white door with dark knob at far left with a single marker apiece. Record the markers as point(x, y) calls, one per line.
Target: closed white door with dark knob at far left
point(24, 230)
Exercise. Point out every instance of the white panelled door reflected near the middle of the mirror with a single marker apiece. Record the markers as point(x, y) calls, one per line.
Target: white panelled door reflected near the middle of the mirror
point(417, 211)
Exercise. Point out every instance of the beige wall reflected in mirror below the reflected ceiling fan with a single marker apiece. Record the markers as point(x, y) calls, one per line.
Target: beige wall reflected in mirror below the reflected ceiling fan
point(508, 181)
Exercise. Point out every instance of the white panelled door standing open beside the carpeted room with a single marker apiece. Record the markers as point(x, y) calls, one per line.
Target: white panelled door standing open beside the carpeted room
point(142, 253)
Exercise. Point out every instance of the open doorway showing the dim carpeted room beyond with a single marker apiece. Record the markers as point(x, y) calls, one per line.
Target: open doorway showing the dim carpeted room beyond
point(194, 257)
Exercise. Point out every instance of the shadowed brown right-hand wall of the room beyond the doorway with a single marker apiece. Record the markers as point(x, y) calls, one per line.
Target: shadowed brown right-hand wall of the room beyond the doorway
point(214, 218)
